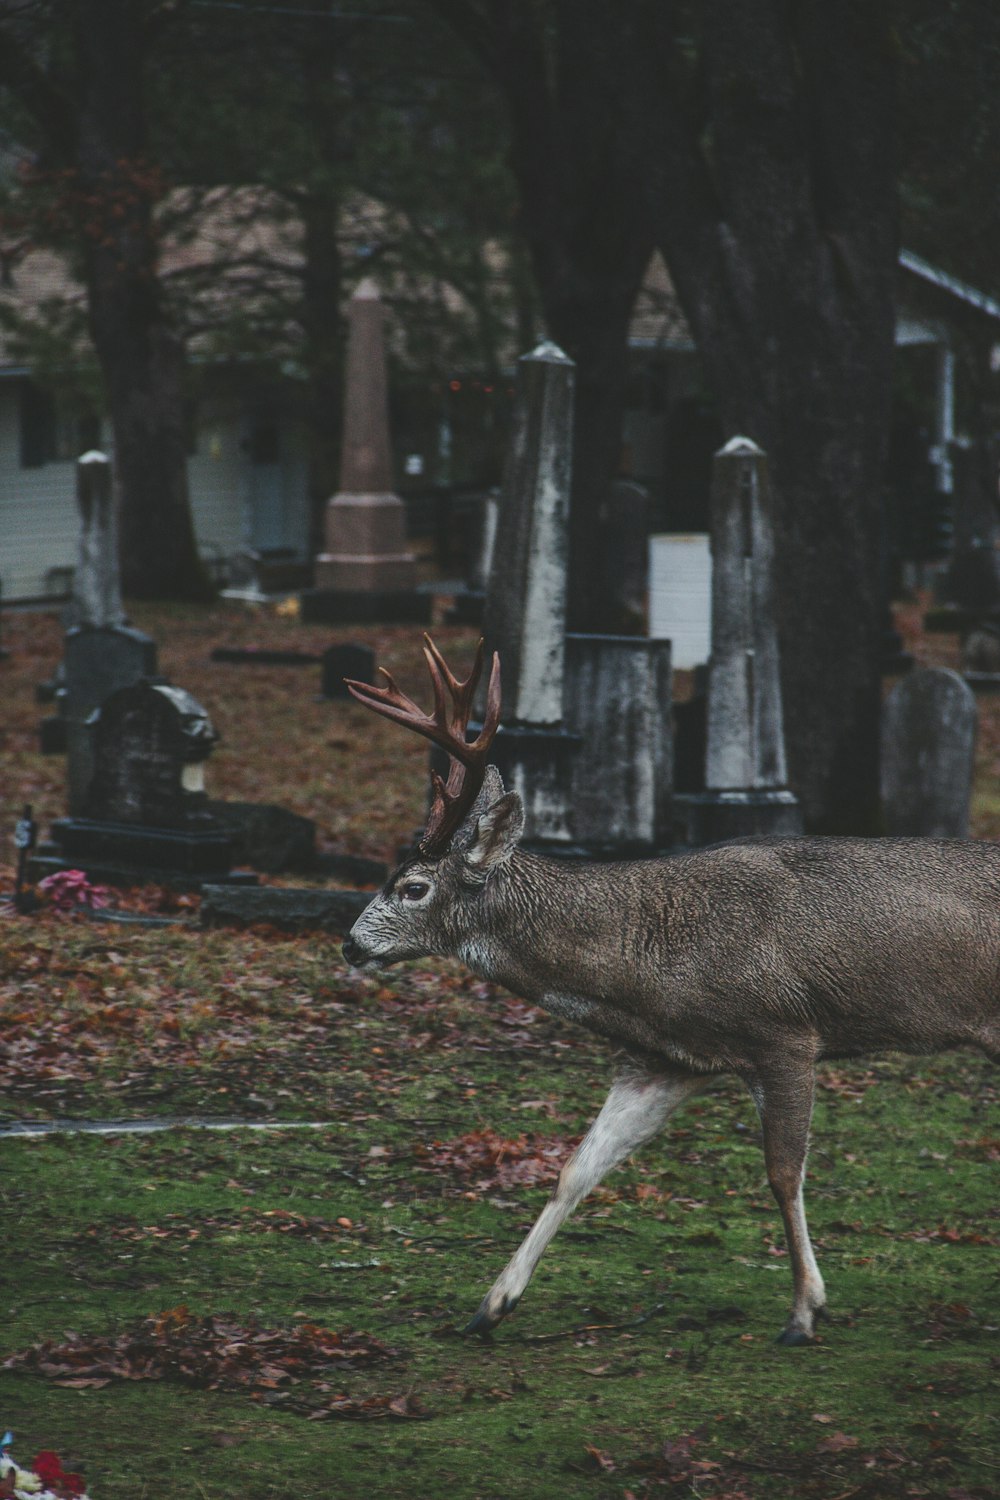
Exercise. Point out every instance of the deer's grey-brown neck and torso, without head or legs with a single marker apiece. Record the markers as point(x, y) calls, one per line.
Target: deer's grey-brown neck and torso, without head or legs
point(836, 947)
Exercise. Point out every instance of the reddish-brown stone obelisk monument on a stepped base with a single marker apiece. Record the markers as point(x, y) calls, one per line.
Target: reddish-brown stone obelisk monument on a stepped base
point(365, 571)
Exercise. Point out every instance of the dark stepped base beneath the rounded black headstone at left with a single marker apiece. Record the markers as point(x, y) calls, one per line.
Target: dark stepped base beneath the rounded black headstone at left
point(131, 854)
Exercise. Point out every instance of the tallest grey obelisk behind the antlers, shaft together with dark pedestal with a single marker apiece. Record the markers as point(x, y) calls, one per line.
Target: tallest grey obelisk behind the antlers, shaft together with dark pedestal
point(525, 602)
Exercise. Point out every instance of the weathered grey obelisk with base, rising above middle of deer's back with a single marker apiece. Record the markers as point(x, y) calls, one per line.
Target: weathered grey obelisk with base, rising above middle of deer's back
point(746, 773)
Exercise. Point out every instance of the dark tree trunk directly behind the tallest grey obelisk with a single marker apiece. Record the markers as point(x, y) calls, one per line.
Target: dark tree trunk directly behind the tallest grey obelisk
point(587, 227)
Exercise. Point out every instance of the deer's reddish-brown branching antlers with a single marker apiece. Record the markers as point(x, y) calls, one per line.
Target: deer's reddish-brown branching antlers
point(446, 728)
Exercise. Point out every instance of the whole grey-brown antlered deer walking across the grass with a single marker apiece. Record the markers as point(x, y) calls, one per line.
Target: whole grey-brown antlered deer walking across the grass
point(758, 958)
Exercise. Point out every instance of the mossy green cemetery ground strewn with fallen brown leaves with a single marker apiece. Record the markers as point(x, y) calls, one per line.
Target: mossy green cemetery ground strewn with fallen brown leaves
point(268, 1313)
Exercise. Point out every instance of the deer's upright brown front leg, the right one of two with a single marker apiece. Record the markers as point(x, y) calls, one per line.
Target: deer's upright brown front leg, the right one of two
point(786, 1108)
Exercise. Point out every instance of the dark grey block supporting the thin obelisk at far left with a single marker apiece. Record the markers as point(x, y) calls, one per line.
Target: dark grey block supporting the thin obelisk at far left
point(98, 662)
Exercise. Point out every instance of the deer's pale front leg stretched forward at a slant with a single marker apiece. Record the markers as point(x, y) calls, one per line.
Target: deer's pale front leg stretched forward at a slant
point(636, 1108)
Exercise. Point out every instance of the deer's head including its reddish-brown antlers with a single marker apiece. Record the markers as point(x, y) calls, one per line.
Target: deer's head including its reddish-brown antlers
point(430, 904)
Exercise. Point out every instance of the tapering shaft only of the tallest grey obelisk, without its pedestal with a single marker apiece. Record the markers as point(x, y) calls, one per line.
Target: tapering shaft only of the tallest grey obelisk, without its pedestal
point(525, 602)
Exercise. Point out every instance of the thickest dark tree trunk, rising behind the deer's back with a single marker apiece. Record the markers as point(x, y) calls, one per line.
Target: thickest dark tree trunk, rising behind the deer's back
point(780, 236)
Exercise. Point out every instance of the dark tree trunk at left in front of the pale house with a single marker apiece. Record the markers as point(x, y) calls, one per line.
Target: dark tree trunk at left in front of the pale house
point(140, 356)
